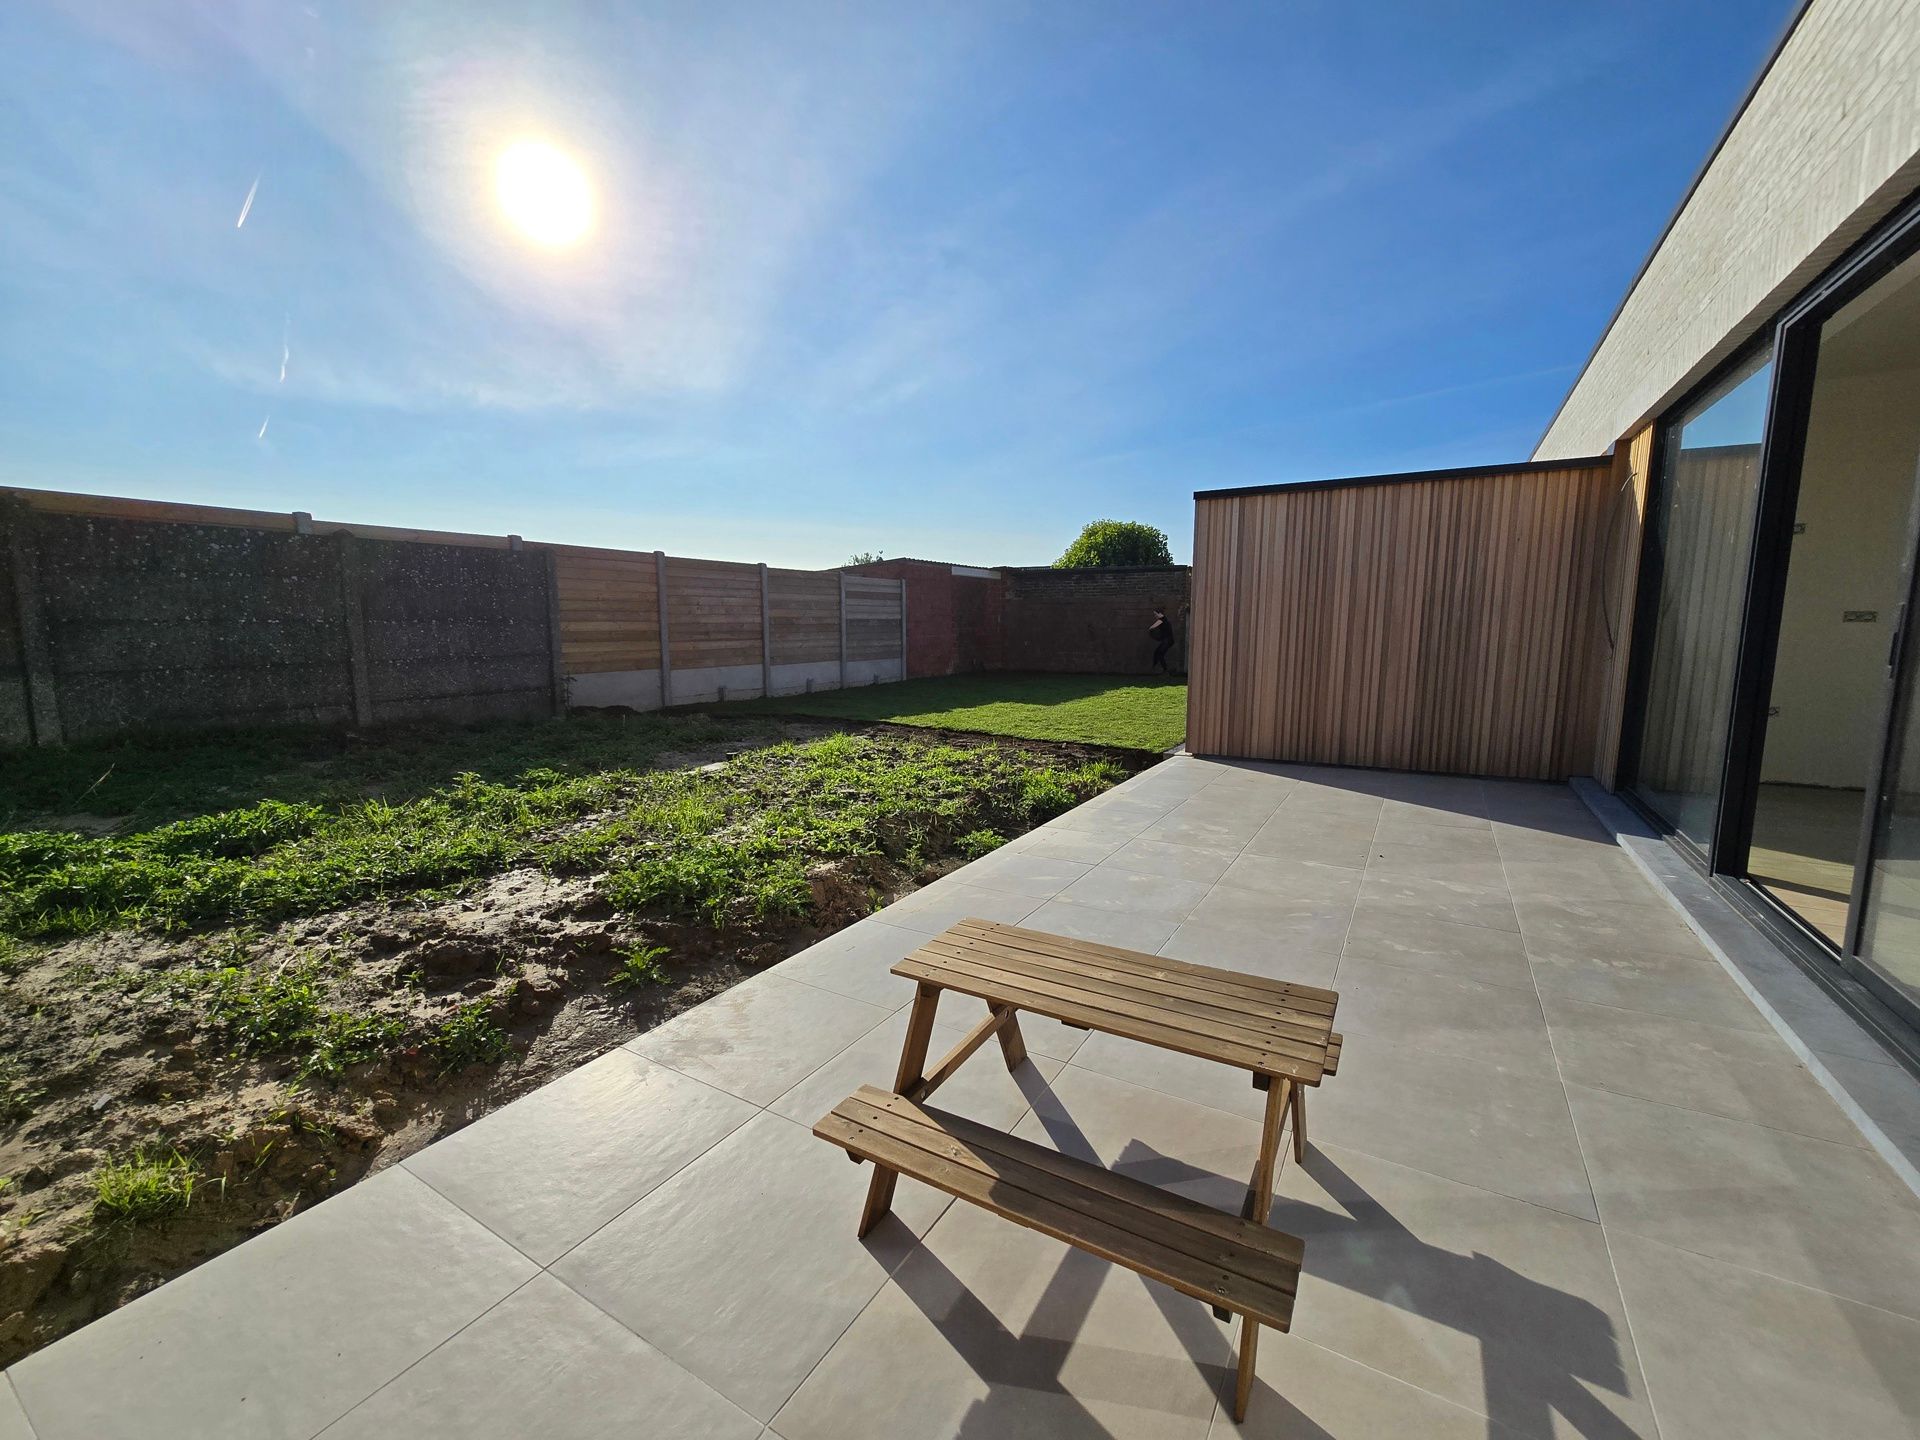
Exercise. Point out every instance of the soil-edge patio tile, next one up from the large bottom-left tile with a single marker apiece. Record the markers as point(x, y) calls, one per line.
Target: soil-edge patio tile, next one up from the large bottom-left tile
point(558, 1164)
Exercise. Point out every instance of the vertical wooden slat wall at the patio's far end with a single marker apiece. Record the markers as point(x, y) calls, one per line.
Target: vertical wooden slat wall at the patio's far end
point(1445, 625)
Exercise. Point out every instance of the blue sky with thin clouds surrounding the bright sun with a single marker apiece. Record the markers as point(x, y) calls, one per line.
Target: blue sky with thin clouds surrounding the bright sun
point(926, 279)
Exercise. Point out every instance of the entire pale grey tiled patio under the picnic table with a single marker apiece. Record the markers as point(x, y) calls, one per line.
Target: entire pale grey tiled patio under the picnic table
point(1568, 1182)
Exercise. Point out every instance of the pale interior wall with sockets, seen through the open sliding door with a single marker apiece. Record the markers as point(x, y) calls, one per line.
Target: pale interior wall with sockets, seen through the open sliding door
point(1863, 444)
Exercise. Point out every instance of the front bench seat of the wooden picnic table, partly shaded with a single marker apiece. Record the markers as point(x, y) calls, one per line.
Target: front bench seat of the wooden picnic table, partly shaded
point(1199, 1251)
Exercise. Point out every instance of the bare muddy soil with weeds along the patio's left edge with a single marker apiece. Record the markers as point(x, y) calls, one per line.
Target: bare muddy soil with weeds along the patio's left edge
point(108, 1051)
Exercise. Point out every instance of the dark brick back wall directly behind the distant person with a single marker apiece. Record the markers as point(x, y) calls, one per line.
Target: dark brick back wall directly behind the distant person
point(1092, 621)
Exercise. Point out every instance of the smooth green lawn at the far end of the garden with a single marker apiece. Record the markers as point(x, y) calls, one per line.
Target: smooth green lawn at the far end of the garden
point(1134, 711)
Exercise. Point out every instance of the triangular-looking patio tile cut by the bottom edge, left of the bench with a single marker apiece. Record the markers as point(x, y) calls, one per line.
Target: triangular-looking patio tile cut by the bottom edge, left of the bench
point(544, 1364)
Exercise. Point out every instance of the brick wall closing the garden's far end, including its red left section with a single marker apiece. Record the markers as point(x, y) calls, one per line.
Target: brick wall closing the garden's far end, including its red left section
point(1053, 621)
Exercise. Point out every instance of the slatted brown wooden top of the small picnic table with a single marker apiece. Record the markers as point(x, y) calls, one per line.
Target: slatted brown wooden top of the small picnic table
point(1251, 1022)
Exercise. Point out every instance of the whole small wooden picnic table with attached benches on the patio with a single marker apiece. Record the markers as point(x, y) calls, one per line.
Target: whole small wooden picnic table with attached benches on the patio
point(1282, 1034)
